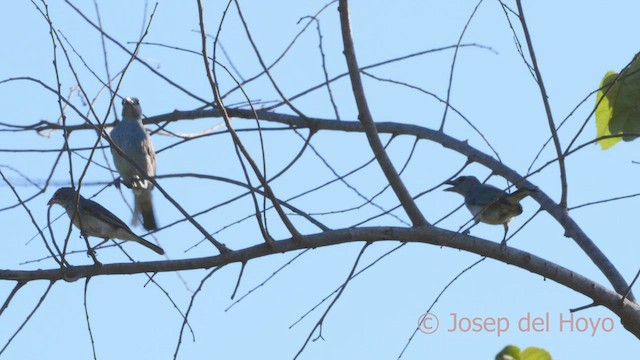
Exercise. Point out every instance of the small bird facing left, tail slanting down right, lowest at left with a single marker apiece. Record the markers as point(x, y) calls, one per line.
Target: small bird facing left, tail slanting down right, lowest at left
point(94, 220)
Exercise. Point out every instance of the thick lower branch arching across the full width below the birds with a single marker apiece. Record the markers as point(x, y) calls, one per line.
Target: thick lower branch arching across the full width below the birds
point(628, 311)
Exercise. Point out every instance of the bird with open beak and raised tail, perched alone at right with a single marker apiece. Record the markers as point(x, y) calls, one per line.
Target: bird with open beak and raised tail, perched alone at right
point(487, 203)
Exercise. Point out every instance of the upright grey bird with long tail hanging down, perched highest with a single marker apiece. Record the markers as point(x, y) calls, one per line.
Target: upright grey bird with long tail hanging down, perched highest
point(130, 136)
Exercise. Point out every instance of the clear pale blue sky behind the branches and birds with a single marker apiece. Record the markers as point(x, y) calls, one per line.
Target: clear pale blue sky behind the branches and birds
point(576, 44)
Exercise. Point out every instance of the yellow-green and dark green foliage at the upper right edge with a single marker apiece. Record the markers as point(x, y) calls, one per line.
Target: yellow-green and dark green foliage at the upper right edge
point(618, 100)
